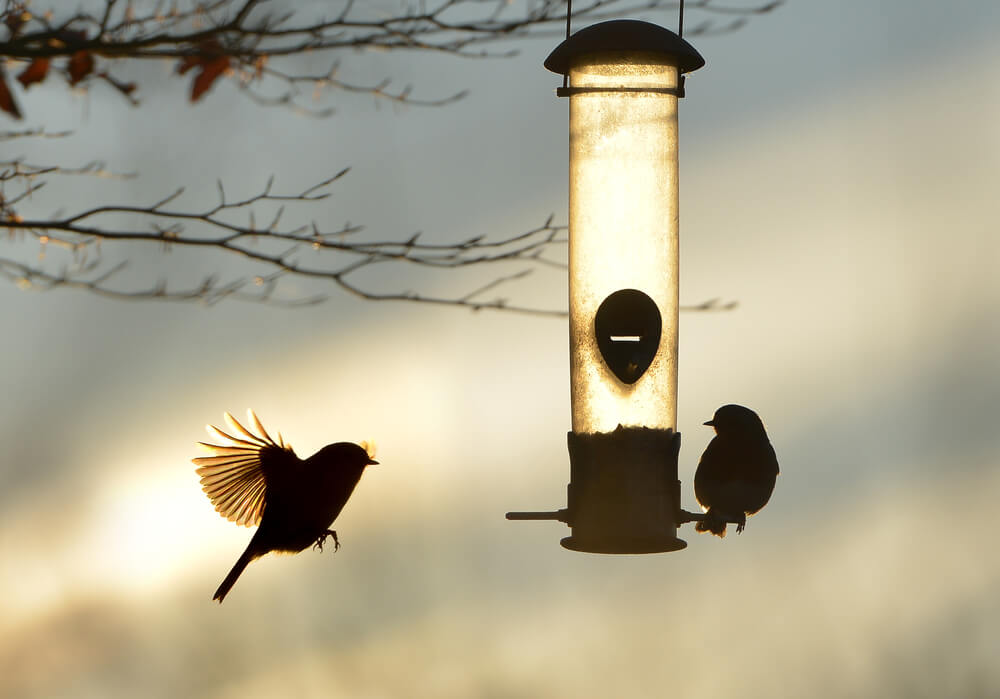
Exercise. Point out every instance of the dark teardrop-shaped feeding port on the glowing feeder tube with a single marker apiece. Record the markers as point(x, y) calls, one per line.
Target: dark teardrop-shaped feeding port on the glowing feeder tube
point(627, 326)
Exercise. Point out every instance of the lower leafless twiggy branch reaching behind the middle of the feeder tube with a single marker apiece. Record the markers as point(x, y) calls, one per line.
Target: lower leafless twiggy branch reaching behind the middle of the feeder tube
point(275, 248)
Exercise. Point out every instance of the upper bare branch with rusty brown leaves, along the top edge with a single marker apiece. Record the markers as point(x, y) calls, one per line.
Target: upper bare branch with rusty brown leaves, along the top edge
point(241, 40)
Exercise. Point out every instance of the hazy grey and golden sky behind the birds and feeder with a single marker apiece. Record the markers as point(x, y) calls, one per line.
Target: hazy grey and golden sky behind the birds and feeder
point(838, 176)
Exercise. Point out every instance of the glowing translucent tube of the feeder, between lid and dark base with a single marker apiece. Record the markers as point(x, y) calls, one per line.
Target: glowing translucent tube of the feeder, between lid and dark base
point(623, 222)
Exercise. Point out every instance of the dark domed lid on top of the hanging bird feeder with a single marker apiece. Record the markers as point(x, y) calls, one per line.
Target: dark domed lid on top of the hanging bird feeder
point(624, 35)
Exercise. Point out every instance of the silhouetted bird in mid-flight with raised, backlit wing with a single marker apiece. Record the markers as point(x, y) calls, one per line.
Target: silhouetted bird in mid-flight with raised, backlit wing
point(256, 480)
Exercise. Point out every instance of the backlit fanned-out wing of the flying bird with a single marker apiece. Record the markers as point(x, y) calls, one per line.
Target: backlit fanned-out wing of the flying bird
point(235, 478)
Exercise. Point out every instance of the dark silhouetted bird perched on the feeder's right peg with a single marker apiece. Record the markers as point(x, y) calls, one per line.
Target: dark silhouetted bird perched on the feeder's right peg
point(736, 474)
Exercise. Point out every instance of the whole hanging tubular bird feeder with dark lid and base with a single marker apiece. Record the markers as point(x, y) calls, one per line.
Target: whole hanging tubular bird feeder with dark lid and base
point(624, 78)
